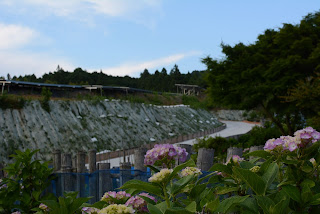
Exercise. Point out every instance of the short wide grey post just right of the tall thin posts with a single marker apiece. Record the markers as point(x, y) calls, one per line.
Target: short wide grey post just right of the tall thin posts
point(105, 181)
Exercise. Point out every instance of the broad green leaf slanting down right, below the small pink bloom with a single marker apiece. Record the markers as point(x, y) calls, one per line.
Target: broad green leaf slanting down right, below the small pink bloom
point(255, 182)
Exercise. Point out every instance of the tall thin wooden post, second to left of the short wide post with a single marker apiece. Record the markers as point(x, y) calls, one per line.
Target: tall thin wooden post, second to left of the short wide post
point(81, 168)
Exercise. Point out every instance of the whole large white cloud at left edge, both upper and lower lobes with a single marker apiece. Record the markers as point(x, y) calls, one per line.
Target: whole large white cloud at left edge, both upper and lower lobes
point(13, 60)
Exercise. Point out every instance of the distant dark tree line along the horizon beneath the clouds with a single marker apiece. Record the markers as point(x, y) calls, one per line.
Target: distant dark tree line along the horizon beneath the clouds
point(158, 81)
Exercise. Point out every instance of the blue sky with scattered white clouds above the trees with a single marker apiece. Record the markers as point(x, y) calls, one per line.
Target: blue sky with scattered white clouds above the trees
point(123, 37)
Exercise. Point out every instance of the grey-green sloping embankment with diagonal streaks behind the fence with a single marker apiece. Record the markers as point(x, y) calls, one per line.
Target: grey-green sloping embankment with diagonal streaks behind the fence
point(82, 125)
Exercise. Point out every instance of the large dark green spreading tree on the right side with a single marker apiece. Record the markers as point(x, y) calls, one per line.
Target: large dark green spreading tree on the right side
point(258, 75)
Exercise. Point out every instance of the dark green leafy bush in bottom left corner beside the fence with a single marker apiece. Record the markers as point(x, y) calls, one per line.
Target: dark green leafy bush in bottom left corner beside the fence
point(27, 179)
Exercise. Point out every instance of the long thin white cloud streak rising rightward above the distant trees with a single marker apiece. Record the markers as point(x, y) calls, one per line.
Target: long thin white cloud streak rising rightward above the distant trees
point(132, 69)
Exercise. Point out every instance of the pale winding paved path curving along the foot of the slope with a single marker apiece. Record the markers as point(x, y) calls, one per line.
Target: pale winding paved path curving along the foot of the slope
point(233, 128)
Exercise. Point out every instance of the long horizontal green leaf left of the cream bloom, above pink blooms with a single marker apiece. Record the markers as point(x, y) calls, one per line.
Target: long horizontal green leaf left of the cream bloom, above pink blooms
point(143, 186)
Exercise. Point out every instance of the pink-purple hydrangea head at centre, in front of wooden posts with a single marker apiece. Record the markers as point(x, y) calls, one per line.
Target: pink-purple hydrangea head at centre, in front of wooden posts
point(168, 151)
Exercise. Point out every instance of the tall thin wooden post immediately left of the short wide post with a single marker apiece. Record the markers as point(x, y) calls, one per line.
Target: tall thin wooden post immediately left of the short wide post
point(92, 177)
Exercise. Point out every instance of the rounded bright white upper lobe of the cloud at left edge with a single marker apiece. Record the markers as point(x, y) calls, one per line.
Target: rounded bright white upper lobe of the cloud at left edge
point(15, 36)
